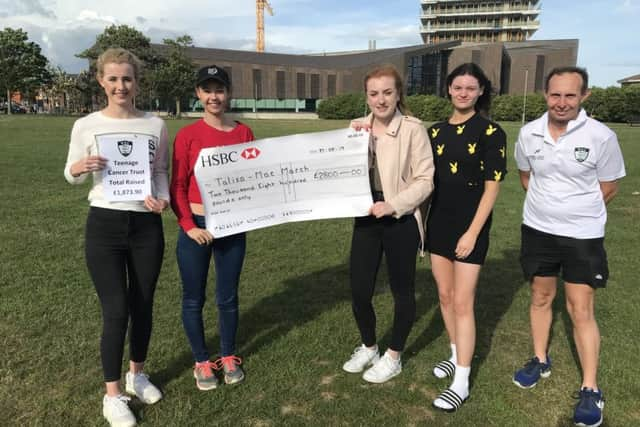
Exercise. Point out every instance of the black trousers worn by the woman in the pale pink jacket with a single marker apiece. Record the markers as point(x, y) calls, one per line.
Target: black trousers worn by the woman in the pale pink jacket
point(398, 239)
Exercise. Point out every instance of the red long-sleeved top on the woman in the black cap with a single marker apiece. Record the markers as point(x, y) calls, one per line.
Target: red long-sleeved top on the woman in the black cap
point(186, 147)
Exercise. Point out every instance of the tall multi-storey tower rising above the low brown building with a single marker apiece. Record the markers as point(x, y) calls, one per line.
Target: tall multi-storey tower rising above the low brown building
point(478, 21)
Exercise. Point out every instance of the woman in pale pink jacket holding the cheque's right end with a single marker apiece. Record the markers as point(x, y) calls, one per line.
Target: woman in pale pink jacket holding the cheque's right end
point(401, 178)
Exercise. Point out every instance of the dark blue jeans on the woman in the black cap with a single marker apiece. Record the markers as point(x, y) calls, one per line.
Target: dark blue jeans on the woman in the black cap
point(193, 262)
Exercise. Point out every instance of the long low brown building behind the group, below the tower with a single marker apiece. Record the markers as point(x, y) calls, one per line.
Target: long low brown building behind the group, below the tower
point(276, 81)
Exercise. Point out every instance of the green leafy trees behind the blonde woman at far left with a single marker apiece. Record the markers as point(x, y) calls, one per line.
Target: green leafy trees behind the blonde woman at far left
point(166, 81)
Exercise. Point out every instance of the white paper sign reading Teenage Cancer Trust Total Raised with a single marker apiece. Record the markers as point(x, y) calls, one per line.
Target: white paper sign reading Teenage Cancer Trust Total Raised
point(127, 175)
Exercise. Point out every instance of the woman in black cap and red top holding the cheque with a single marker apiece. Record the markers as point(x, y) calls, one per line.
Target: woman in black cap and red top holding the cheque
point(196, 244)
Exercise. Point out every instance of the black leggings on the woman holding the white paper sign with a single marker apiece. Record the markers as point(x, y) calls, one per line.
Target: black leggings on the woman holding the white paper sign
point(124, 251)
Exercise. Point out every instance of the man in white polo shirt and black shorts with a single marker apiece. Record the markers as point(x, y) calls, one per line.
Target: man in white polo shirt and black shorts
point(569, 166)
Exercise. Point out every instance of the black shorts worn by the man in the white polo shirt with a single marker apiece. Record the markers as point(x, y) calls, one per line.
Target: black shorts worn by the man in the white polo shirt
point(581, 260)
